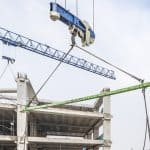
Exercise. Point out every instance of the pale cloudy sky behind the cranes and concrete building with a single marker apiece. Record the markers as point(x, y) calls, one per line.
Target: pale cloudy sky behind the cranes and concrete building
point(122, 31)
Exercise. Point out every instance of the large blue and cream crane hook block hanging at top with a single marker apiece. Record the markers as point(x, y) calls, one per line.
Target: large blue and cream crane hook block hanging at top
point(75, 24)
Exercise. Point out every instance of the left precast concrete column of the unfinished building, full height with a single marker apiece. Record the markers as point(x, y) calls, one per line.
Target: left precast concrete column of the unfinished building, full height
point(22, 98)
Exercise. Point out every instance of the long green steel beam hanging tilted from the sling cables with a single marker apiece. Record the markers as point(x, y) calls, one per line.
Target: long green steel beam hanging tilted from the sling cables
point(103, 94)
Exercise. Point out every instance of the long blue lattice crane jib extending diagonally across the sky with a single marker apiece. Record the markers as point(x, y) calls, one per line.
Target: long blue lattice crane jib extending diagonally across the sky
point(17, 40)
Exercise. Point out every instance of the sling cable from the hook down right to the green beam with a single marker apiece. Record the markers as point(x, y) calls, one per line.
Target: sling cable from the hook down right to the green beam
point(105, 61)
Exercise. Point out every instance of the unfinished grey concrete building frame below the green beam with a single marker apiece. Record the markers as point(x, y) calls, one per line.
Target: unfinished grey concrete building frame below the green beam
point(67, 127)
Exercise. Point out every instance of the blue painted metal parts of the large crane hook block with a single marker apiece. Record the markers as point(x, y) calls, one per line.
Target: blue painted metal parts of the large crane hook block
point(68, 18)
